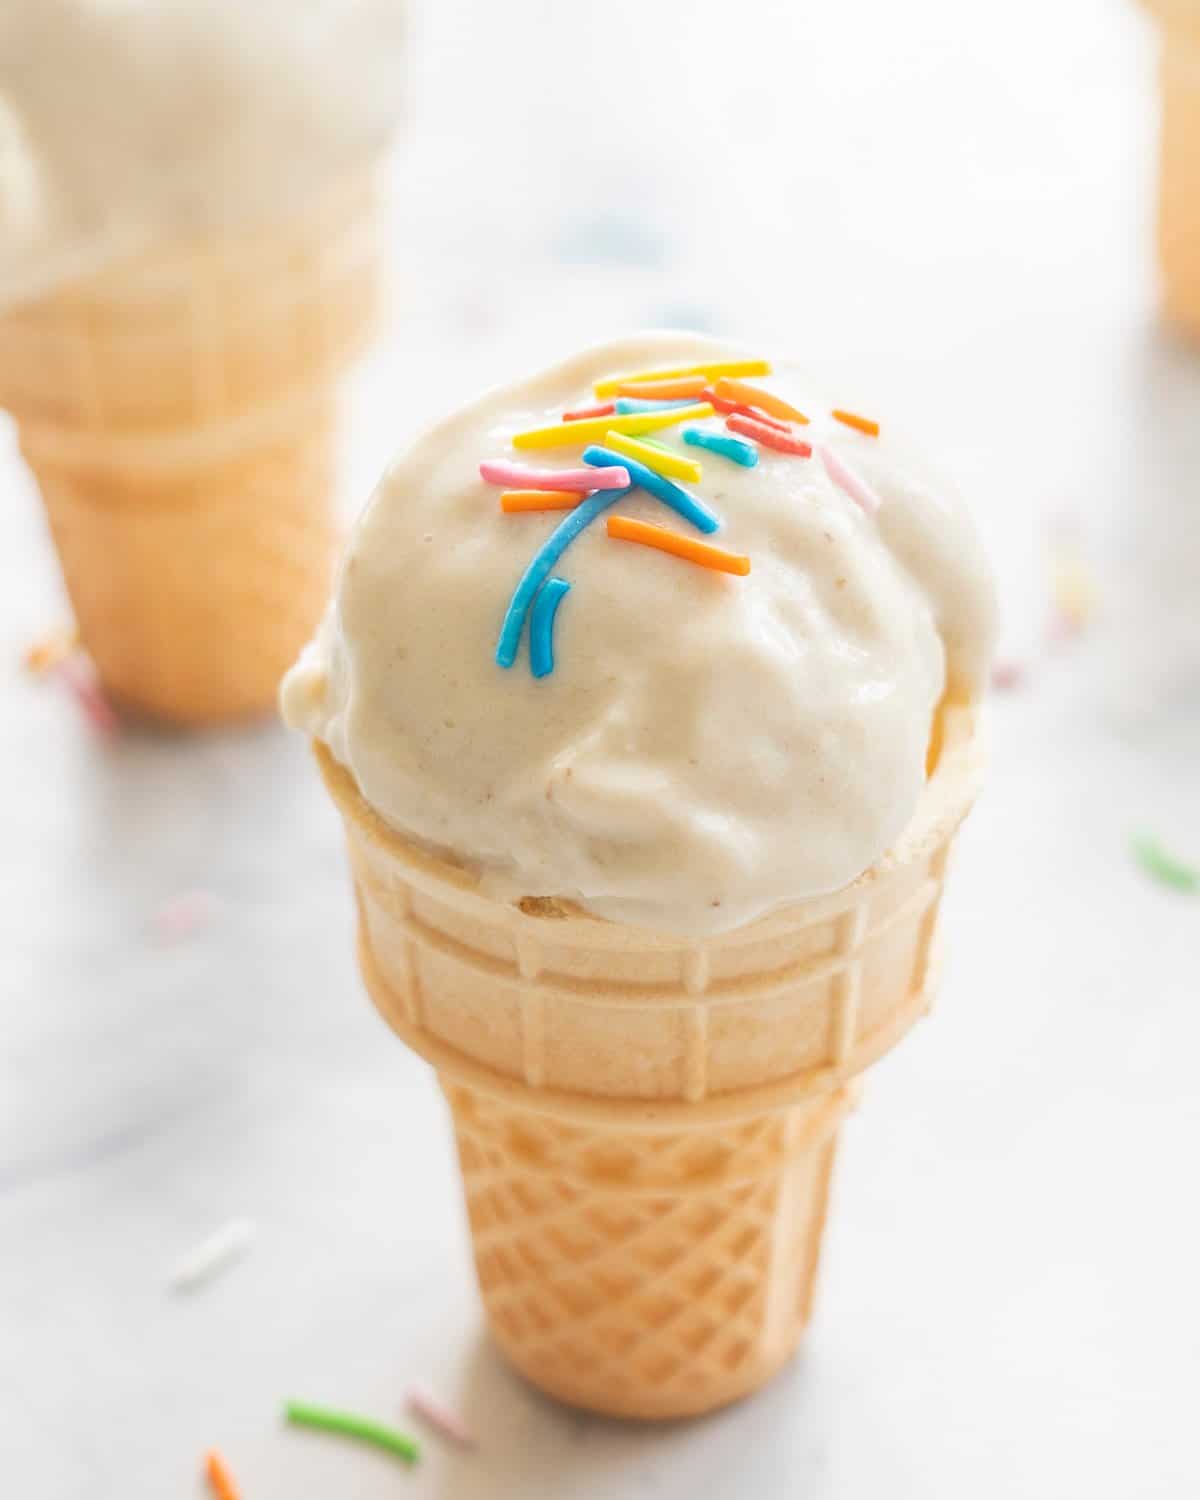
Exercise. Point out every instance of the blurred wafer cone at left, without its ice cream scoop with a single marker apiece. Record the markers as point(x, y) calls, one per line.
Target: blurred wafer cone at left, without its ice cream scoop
point(179, 415)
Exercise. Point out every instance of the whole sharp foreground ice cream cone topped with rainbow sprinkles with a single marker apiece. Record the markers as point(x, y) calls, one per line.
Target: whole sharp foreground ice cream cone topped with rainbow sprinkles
point(653, 910)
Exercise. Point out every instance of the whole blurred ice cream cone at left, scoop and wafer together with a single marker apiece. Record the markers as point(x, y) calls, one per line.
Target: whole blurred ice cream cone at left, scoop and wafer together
point(182, 287)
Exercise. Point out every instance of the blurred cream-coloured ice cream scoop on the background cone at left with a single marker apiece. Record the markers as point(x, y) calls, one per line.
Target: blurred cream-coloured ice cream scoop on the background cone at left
point(124, 121)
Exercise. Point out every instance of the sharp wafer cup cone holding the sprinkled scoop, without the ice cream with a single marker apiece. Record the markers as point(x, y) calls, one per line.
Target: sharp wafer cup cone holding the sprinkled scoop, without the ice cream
point(647, 1126)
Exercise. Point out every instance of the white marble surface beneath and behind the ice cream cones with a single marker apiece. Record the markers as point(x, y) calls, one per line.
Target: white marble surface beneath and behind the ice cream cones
point(950, 220)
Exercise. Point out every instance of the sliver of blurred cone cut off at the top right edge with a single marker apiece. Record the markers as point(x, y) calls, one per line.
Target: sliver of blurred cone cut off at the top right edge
point(1180, 161)
